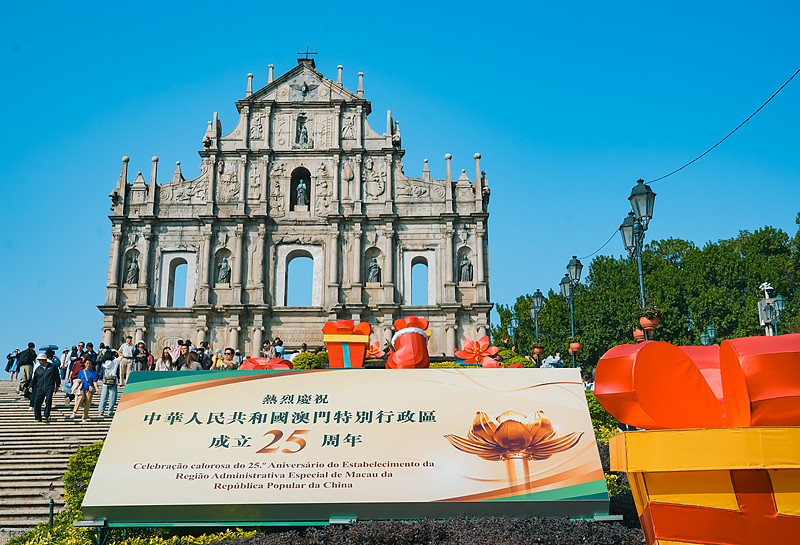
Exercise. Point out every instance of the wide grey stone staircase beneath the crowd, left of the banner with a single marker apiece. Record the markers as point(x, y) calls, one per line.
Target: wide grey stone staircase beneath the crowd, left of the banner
point(34, 456)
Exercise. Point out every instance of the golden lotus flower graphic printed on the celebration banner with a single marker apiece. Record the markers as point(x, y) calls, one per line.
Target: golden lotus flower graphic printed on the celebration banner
point(515, 439)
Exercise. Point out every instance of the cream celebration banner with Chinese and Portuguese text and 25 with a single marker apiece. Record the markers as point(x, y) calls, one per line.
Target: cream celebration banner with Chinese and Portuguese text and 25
point(313, 445)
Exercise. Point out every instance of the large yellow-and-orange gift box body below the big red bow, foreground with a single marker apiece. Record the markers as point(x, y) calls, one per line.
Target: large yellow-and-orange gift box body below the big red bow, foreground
point(720, 486)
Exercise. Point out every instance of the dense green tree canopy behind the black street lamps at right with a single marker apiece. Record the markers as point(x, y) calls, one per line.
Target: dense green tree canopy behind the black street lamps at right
point(694, 287)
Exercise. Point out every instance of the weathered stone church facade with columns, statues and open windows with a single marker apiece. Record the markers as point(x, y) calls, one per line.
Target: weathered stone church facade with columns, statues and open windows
point(302, 174)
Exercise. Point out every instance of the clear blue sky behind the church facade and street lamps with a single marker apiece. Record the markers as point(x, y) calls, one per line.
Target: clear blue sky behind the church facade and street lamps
point(568, 103)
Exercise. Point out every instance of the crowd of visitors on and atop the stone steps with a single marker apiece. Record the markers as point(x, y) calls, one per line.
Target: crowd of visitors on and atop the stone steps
point(82, 372)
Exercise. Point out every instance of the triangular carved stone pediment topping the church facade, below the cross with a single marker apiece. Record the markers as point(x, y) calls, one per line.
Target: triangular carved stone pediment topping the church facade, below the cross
point(302, 84)
